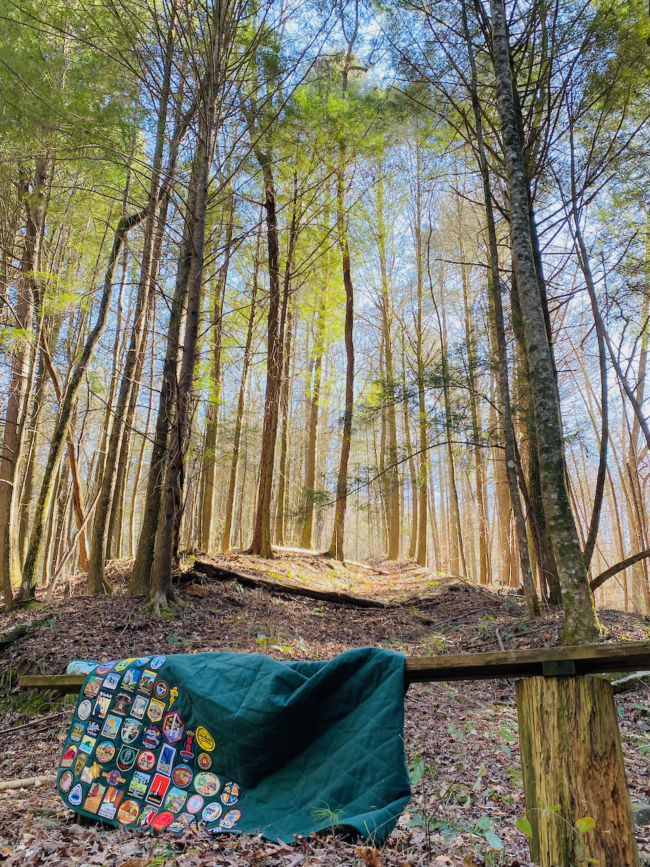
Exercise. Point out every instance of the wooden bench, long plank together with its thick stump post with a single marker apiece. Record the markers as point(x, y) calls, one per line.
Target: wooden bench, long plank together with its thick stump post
point(577, 801)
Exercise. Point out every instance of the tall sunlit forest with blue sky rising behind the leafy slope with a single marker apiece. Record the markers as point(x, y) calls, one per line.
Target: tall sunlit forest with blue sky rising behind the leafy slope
point(364, 279)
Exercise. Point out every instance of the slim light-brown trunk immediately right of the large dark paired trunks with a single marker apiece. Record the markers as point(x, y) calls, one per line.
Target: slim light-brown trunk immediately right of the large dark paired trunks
point(212, 415)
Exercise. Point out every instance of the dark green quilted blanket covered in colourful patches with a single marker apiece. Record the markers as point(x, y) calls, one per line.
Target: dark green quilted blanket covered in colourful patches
point(241, 743)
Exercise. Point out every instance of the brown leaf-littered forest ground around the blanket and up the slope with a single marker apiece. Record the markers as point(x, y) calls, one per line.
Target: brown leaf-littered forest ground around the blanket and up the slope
point(461, 738)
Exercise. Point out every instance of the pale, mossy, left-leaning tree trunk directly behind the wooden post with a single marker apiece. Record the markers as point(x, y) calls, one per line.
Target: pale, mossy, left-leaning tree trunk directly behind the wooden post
point(580, 622)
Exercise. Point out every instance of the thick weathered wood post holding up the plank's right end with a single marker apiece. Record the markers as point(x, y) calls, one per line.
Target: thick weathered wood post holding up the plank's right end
point(573, 769)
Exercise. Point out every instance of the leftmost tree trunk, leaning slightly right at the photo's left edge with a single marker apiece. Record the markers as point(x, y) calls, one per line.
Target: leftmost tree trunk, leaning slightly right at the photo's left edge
point(14, 440)
